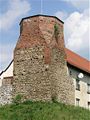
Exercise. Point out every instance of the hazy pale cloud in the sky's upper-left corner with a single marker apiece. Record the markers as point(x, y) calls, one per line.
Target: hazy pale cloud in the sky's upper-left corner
point(16, 9)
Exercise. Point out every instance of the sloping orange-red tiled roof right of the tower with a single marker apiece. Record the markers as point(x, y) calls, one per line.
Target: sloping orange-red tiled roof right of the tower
point(77, 61)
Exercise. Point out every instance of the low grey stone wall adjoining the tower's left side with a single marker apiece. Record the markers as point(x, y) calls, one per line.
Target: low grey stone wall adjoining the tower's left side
point(6, 91)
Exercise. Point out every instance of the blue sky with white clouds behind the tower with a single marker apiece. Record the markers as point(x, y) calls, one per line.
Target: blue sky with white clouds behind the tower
point(74, 13)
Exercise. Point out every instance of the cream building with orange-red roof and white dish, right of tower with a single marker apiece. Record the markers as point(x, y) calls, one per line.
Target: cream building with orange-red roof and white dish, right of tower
point(79, 70)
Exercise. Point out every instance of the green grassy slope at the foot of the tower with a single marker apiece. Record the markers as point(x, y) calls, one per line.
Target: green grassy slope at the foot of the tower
point(43, 111)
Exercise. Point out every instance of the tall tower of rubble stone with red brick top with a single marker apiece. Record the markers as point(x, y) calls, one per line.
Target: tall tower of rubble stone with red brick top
point(40, 71)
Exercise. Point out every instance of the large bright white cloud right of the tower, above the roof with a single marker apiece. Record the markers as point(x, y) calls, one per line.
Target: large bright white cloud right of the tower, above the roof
point(76, 32)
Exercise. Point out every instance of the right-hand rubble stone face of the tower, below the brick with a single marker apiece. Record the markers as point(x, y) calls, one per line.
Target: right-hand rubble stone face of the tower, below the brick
point(62, 84)
